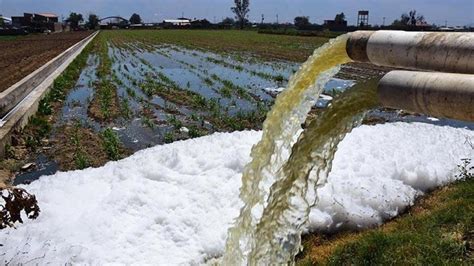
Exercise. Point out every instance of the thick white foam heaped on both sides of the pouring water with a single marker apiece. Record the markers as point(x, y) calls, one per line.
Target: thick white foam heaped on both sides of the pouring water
point(172, 204)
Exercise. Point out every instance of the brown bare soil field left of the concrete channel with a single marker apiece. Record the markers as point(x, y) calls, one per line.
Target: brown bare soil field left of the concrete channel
point(21, 56)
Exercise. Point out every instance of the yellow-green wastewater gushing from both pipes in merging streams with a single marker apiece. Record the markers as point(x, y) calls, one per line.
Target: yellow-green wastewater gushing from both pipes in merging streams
point(275, 183)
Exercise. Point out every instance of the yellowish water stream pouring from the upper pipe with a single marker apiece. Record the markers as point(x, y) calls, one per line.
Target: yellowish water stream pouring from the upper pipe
point(269, 156)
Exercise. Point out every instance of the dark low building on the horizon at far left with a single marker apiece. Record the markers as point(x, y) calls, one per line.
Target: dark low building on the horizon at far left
point(38, 22)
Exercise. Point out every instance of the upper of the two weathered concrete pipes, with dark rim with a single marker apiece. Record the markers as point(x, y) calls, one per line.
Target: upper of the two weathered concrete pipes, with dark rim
point(437, 51)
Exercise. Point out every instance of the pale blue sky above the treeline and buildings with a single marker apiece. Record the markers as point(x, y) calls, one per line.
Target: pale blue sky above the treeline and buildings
point(455, 12)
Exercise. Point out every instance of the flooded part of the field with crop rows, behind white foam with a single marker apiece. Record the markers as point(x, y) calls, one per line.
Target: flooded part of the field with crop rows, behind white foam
point(131, 95)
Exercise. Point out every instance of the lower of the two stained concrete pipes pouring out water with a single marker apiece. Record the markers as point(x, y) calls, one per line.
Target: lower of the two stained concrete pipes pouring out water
point(435, 94)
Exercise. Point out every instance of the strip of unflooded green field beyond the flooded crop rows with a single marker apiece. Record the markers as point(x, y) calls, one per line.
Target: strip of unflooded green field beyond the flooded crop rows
point(266, 46)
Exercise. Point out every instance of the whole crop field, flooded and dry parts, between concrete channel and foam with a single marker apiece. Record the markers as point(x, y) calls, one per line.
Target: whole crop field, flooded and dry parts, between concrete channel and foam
point(130, 90)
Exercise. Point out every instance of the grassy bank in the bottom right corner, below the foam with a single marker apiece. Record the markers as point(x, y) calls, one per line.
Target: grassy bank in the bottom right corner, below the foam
point(438, 230)
